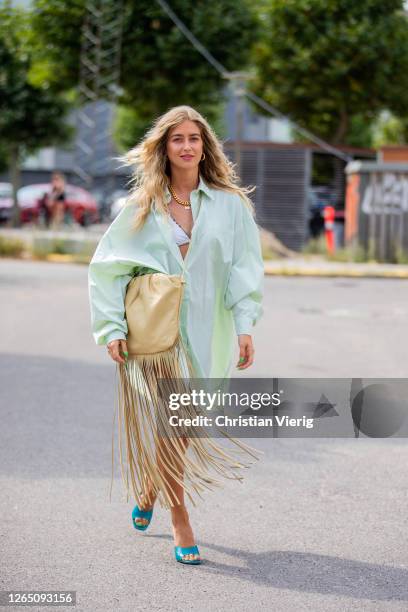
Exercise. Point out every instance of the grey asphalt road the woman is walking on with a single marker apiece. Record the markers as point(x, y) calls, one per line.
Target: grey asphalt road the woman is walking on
point(318, 524)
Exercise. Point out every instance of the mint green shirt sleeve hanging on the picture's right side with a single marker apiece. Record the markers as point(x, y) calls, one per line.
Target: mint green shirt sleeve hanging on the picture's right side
point(245, 286)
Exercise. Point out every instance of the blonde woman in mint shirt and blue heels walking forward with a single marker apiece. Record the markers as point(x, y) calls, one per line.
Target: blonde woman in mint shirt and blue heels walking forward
point(185, 212)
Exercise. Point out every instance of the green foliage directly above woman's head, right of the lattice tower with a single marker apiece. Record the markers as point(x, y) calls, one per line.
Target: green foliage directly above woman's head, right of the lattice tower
point(162, 69)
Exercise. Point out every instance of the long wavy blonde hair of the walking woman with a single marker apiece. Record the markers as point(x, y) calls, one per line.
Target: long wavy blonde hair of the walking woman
point(152, 167)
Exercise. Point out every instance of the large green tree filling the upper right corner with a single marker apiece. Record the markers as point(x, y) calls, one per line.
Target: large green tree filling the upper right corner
point(333, 65)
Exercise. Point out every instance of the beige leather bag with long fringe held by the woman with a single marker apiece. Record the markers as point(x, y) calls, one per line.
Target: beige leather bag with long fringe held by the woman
point(155, 450)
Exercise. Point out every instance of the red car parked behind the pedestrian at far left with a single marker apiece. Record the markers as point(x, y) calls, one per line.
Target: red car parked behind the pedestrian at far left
point(79, 202)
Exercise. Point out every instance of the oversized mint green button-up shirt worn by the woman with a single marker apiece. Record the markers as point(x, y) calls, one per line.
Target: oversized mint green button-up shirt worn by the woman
point(224, 273)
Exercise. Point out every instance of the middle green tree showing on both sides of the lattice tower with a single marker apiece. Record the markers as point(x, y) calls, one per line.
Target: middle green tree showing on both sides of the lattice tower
point(160, 67)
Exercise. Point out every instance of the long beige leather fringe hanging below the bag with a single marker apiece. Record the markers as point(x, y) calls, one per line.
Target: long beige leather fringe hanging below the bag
point(155, 451)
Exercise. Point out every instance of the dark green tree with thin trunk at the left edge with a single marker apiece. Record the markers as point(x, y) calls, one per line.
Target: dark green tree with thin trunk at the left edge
point(30, 116)
